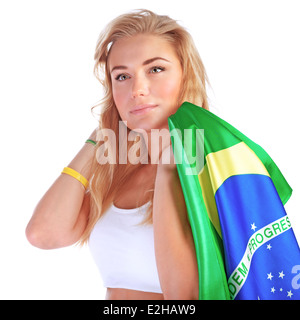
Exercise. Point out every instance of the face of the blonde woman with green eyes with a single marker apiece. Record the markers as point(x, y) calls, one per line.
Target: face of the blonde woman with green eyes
point(146, 79)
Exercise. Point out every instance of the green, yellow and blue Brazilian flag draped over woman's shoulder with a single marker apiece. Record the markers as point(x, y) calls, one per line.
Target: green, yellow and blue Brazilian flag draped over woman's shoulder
point(235, 196)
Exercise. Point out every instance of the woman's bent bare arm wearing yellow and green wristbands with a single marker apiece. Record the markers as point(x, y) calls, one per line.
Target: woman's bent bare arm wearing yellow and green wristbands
point(60, 217)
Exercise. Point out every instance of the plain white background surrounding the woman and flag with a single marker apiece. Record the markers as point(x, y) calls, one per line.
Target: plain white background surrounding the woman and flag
point(251, 52)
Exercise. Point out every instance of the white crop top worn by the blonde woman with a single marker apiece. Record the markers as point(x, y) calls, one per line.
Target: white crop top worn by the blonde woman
point(124, 250)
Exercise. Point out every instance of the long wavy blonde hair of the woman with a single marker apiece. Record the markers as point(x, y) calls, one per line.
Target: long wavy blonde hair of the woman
point(108, 179)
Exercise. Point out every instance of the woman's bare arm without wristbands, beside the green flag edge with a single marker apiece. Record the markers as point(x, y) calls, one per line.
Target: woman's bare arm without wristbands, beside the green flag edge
point(174, 245)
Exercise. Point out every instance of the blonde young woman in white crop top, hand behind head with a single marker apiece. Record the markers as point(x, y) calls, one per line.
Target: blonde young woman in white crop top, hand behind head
point(133, 215)
